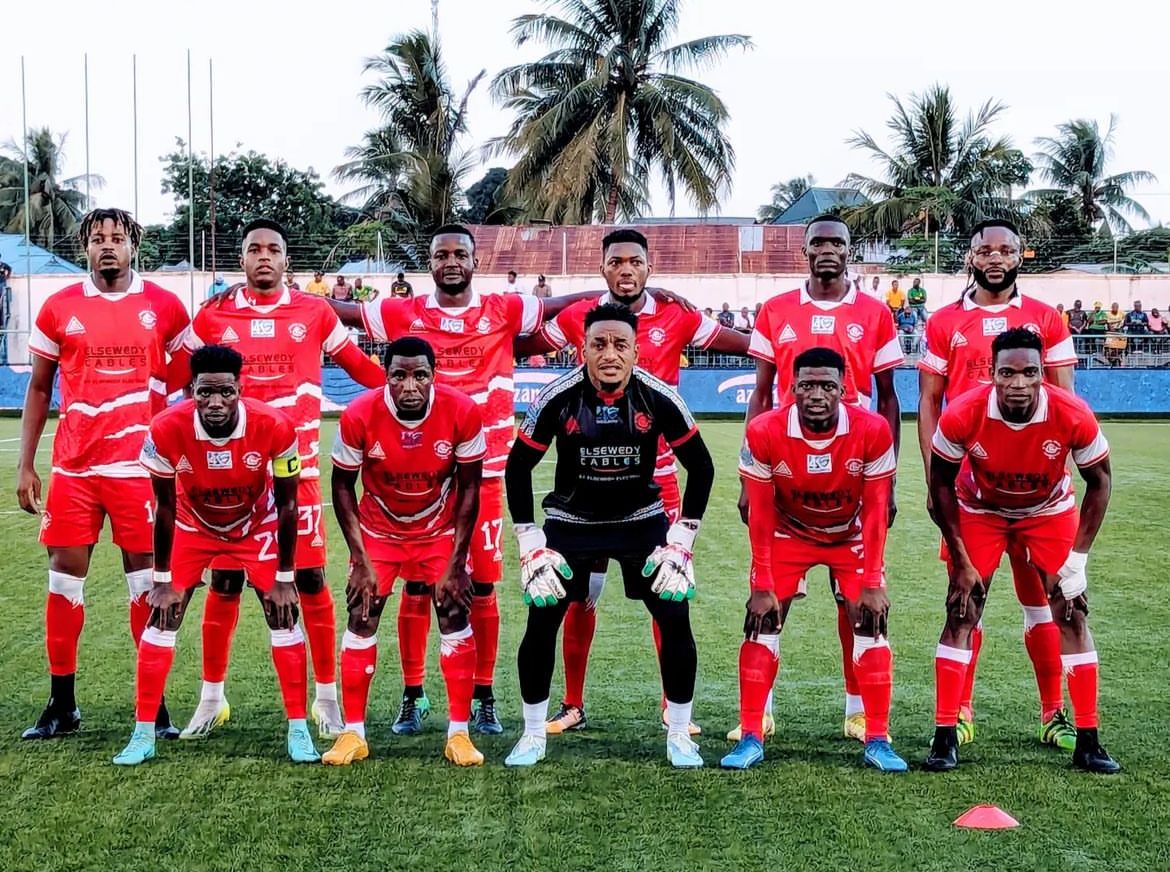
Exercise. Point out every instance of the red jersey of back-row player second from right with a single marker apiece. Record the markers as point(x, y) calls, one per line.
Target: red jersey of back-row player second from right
point(858, 327)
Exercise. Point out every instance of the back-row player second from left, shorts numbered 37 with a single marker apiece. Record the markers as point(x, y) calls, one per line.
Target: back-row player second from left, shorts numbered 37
point(283, 335)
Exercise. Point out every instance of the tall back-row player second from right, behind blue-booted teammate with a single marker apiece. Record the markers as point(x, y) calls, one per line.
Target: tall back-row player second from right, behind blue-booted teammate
point(830, 312)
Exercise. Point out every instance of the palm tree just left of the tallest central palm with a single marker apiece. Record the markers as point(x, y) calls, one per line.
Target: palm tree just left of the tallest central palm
point(410, 171)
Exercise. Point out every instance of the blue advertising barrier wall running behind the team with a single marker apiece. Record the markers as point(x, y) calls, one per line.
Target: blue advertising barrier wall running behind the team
point(1121, 392)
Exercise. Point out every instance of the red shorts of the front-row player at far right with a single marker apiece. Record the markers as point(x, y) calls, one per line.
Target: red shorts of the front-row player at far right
point(1047, 540)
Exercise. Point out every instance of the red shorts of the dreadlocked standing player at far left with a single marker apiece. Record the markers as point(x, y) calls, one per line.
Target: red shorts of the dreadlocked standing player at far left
point(77, 507)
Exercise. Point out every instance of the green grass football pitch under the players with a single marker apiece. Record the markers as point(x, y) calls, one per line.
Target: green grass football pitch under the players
point(607, 799)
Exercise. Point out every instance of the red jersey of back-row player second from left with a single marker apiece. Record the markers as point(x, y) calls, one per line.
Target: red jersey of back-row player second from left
point(283, 344)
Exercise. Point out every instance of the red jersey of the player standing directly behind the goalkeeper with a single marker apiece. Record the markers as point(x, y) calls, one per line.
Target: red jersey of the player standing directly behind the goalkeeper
point(664, 333)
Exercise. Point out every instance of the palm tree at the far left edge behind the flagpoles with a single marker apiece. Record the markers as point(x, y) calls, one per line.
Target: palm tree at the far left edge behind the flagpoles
point(56, 205)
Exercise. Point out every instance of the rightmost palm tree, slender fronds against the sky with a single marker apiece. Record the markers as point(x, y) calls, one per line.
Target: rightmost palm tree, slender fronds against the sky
point(1073, 163)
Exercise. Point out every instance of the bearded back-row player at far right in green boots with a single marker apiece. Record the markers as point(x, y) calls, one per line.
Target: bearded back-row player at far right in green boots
point(956, 358)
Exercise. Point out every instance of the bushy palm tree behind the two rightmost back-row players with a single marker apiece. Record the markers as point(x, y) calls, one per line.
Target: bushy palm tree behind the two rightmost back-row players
point(941, 174)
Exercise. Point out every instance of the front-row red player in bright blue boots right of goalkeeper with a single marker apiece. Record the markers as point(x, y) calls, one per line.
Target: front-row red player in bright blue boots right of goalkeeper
point(818, 475)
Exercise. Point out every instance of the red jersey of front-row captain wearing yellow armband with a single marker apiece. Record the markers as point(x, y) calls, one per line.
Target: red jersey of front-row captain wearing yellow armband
point(224, 486)
